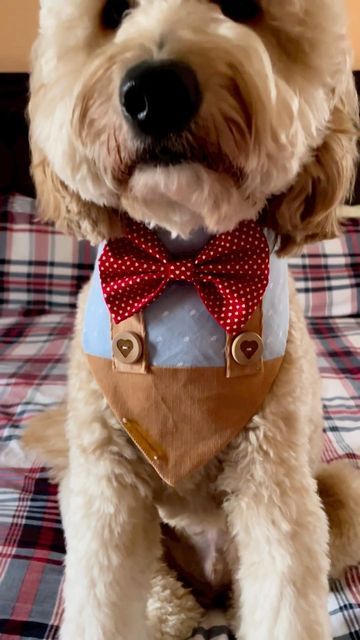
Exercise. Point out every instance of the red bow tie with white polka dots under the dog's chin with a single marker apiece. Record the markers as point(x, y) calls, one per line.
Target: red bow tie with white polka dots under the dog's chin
point(230, 273)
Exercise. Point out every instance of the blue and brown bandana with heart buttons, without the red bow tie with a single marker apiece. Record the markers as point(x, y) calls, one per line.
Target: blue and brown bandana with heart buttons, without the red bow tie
point(171, 375)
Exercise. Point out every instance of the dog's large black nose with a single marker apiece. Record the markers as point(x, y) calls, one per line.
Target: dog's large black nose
point(160, 97)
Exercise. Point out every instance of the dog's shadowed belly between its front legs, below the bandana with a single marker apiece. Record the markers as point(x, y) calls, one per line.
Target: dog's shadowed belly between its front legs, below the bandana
point(196, 541)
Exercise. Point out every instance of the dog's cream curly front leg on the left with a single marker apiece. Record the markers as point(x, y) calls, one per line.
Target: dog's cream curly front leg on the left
point(113, 539)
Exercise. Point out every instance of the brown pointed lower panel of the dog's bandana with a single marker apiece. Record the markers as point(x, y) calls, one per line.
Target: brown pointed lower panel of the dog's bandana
point(181, 418)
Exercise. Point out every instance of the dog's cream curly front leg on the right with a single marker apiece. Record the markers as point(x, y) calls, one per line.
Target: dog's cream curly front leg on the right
point(281, 535)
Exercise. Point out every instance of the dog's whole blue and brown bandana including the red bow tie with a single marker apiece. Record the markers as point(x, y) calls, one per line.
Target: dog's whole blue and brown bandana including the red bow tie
point(180, 385)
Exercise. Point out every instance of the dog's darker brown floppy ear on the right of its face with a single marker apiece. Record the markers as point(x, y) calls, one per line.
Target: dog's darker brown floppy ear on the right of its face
point(308, 211)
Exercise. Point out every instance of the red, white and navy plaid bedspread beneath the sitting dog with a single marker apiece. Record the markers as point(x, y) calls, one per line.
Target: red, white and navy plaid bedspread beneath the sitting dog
point(34, 342)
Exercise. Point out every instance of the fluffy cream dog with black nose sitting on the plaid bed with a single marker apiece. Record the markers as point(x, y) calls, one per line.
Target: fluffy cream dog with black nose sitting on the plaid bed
point(172, 116)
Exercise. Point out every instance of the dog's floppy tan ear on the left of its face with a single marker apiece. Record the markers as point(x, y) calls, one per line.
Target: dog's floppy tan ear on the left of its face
point(71, 214)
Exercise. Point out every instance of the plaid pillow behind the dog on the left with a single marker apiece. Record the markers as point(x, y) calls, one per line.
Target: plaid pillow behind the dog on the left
point(41, 270)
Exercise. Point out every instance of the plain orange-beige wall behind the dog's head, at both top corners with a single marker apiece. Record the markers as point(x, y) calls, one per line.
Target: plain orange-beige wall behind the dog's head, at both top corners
point(18, 22)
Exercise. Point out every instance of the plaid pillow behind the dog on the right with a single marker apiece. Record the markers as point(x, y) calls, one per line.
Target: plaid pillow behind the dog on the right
point(327, 275)
